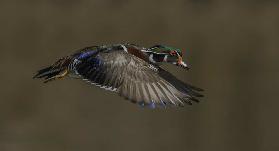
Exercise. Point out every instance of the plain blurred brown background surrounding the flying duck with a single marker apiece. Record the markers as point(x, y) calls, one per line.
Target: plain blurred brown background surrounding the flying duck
point(231, 46)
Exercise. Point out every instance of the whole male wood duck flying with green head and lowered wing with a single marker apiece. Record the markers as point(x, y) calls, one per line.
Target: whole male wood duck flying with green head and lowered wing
point(132, 71)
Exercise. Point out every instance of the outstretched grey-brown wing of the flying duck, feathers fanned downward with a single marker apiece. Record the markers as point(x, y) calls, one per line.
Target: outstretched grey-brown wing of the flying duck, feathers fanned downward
point(134, 79)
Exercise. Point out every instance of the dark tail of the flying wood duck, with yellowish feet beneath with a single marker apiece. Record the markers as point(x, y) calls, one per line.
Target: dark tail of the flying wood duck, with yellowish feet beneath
point(57, 70)
